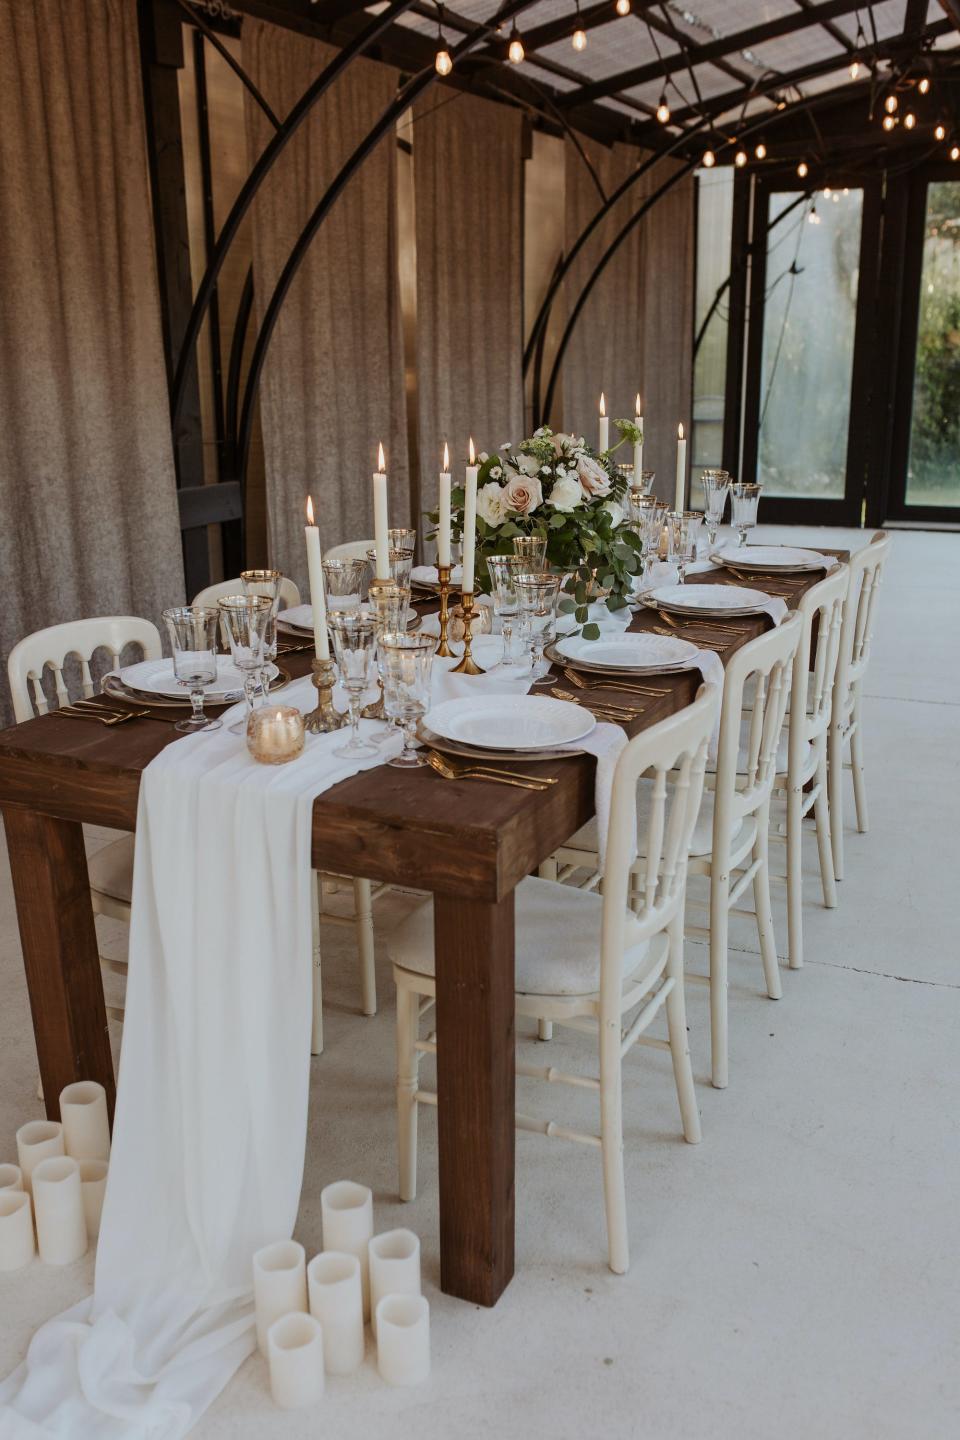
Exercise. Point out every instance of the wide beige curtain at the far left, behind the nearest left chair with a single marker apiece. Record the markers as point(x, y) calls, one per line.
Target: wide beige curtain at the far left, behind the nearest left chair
point(87, 480)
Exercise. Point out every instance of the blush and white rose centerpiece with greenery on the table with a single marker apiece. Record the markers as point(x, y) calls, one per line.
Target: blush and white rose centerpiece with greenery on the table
point(559, 487)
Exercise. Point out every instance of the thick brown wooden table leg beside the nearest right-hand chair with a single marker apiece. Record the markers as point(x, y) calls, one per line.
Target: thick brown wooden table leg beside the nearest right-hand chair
point(476, 1068)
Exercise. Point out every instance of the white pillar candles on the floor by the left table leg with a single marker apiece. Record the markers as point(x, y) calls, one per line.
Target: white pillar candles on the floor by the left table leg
point(58, 1182)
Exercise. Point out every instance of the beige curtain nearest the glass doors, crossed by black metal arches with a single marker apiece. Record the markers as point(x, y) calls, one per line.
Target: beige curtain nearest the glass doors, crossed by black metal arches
point(635, 332)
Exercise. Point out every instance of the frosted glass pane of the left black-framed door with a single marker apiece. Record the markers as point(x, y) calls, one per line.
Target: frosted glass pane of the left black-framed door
point(810, 320)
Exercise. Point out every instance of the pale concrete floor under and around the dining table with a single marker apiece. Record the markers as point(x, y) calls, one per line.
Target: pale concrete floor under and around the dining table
point(797, 1274)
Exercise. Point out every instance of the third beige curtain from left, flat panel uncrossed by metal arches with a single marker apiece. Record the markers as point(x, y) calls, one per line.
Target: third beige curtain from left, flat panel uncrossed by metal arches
point(468, 184)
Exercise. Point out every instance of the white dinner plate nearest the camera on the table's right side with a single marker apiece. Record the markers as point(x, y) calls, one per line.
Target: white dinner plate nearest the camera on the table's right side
point(510, 722)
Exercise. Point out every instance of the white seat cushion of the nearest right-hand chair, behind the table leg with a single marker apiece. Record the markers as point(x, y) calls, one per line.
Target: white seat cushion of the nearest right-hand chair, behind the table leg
point(558, 941)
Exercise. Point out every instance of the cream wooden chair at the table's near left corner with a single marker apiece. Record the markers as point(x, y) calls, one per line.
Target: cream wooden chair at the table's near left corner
point(48, 653)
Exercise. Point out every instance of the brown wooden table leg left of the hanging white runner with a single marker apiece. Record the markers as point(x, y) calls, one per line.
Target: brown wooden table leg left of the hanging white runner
point(61, 957)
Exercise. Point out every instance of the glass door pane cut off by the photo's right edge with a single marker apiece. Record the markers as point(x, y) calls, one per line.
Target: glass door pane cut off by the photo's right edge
point(933, 476)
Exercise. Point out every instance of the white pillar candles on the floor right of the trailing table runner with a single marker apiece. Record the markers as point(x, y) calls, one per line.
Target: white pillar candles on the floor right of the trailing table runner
point(310, 1318)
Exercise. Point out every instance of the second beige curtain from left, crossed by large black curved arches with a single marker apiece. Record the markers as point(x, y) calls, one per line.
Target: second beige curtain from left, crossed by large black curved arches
point(333, 381)
